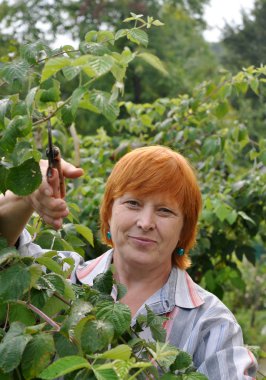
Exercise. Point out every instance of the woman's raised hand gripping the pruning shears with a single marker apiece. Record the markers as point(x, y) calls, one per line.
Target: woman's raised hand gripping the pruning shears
point(46, 199)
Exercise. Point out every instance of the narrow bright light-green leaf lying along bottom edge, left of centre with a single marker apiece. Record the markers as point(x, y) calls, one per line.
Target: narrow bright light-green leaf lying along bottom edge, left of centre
point(63, 366)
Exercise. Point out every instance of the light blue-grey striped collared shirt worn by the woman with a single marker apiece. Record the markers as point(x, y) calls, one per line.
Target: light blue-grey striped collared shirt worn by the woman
point(198, 322)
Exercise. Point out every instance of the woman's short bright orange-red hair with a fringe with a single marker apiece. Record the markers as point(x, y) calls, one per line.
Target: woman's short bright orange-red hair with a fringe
point(156, 169)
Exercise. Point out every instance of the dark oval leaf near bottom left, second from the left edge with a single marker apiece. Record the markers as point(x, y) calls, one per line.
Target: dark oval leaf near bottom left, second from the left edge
point(37, 355)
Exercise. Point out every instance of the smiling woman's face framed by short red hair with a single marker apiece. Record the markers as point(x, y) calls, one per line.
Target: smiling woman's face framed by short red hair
point(145, 230)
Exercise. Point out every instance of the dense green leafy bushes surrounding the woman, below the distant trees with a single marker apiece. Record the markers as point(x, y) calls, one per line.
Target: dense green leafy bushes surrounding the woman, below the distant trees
point(38, 306)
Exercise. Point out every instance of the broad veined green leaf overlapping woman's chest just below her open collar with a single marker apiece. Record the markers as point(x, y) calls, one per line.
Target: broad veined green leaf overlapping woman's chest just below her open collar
point(119, 315)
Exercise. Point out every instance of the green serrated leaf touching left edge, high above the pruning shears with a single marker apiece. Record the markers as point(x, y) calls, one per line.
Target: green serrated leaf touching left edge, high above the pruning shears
point(14, 71)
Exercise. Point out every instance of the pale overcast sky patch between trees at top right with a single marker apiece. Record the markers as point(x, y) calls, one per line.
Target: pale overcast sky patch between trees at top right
point(221, 11)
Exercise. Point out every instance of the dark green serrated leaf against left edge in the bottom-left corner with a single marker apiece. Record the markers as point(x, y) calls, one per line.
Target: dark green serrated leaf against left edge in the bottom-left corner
point(11, 351)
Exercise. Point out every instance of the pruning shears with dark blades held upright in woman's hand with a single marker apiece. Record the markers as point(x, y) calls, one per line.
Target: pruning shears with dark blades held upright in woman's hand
point(54, 162)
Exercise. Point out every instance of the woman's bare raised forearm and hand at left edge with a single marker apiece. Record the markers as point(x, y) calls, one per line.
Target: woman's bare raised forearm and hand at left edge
point(15, 210)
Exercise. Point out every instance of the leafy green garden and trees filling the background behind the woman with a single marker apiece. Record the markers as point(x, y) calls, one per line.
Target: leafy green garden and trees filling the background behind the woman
point(151, 79)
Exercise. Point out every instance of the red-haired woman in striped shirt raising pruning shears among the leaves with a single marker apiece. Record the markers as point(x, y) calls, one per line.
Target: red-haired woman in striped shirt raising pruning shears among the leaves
point(149, 216)
